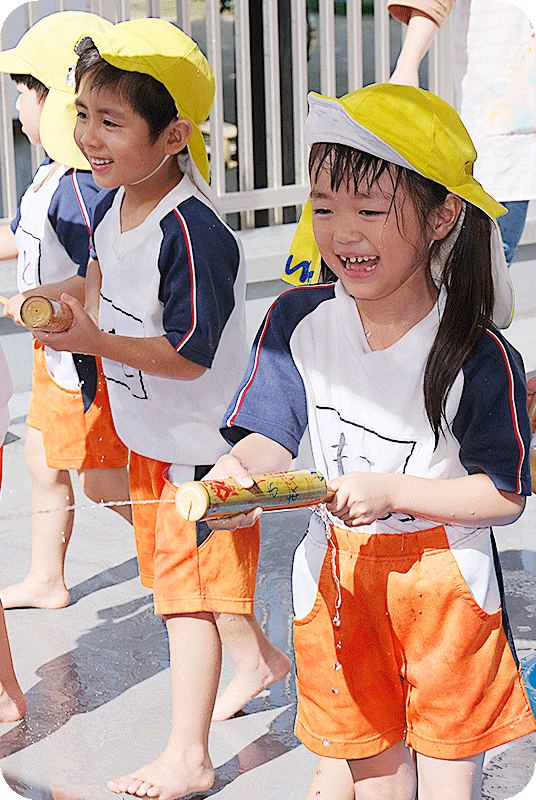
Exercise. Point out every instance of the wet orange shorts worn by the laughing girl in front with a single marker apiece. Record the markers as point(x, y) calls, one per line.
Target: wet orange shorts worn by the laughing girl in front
point(413, 657)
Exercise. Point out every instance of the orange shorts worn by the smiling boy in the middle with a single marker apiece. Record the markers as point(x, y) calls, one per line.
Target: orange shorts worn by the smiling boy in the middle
point(189, 567)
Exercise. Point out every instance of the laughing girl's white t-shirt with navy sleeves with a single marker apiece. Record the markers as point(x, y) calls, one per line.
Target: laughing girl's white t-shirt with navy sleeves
point(311, 365)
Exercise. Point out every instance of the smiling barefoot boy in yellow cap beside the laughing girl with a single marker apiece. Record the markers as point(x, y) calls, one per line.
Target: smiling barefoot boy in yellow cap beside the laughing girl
point(167, 281)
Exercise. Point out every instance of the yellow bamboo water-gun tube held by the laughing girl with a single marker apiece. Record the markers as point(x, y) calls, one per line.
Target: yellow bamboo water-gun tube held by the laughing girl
point(214, 499)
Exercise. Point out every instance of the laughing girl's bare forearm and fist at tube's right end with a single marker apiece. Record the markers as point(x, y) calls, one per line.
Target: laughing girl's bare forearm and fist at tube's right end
point(472, 501)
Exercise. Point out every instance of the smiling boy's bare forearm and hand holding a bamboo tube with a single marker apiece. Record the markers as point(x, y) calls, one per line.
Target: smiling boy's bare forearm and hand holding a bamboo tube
point(154, 355)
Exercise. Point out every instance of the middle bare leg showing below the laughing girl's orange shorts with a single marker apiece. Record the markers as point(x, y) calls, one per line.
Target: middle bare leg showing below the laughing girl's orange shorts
point(387, 776)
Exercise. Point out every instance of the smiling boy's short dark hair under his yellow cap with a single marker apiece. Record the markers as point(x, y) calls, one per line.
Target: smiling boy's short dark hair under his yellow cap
point(148, 97)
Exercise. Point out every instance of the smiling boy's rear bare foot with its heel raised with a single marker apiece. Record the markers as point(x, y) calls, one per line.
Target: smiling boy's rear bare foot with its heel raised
point(244, 687)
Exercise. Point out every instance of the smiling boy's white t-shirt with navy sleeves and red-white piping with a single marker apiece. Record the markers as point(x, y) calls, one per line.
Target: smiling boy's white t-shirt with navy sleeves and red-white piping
point(180, 274)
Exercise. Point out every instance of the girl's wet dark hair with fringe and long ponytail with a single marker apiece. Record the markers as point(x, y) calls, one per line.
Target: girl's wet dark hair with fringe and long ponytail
point(466, 276)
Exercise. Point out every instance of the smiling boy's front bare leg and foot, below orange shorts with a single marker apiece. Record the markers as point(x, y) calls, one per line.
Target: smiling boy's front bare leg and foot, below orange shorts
point(184, 766)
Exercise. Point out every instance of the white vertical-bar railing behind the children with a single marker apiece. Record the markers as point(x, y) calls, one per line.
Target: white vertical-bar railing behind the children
point(246, 199)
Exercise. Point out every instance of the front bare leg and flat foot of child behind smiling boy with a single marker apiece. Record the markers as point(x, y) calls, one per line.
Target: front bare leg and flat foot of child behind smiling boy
point(44, 586)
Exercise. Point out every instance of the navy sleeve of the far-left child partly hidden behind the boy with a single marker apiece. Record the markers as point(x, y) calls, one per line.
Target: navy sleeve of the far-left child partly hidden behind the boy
point(69, 216)
